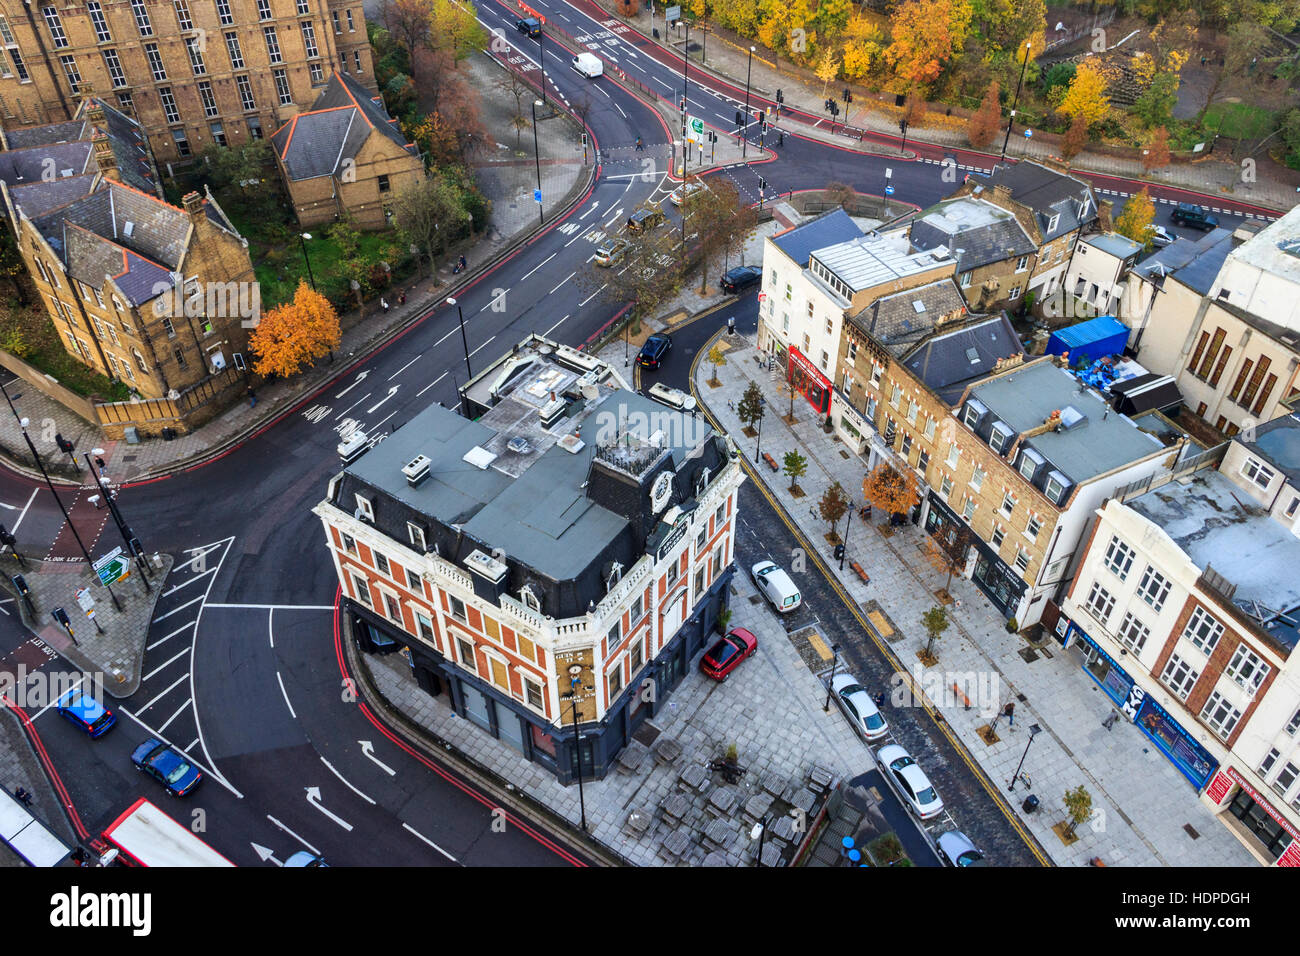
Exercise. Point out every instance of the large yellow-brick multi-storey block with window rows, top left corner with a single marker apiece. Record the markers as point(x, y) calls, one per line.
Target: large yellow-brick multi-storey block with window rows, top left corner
point(193, 72)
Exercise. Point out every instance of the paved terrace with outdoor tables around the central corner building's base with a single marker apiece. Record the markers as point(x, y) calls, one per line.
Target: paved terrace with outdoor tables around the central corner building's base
point(770, 708)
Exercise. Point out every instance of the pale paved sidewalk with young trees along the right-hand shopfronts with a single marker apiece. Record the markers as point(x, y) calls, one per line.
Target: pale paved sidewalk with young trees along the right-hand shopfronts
point(1143, 802)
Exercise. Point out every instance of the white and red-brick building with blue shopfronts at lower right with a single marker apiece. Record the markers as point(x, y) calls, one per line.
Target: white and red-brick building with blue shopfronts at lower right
point(1186, 609)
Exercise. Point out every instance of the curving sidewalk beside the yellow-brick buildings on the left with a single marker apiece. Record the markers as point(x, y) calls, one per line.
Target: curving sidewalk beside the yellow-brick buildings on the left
point(506, 180)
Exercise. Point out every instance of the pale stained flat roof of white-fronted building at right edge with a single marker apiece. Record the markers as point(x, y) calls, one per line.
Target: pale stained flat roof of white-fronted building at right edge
point(1219, 527)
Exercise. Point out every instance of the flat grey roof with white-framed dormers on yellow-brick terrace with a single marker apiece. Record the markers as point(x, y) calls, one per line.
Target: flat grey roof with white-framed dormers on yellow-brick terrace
point(1025, 400)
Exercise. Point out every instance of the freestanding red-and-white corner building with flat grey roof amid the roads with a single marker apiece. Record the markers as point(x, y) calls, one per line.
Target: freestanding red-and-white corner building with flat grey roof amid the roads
point(577, 535)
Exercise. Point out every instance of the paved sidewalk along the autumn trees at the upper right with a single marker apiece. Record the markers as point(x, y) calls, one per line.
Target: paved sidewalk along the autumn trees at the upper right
point(1277, 191)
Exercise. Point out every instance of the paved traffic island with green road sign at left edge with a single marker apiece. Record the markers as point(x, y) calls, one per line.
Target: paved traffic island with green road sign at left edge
point(67, 607)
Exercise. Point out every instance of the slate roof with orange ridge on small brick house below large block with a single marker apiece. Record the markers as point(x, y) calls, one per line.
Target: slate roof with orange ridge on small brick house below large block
point(318, 142)
